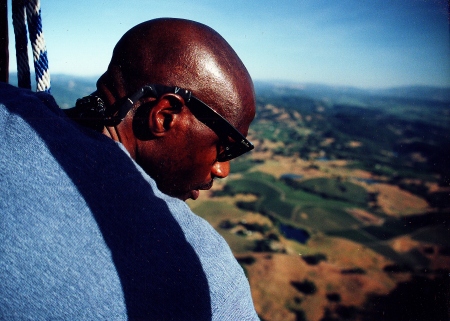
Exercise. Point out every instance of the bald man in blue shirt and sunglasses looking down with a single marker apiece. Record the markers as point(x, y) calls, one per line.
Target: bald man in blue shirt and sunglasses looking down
point(94, 226)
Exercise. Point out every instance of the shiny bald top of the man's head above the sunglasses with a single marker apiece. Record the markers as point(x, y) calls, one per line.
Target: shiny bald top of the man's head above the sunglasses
point(187, 54)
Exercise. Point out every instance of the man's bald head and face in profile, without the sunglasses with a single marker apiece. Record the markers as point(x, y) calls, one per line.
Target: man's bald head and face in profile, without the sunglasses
point(165, 133)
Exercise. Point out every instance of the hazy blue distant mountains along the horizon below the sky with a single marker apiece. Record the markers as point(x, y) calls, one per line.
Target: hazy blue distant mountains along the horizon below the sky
point(67, 88)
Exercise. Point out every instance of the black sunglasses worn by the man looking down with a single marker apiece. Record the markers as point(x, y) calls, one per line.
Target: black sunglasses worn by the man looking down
point(233, 143)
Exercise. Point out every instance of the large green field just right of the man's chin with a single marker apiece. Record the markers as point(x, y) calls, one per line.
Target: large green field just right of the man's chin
point(311, 211)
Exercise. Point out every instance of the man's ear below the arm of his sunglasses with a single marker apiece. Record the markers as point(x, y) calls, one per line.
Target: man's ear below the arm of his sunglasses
point(164, 114)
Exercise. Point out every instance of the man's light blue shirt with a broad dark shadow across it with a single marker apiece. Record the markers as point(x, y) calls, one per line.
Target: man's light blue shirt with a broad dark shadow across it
point(85, 234)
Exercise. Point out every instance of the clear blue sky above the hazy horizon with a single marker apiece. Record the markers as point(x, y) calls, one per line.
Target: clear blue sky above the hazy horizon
point(358, 43)
